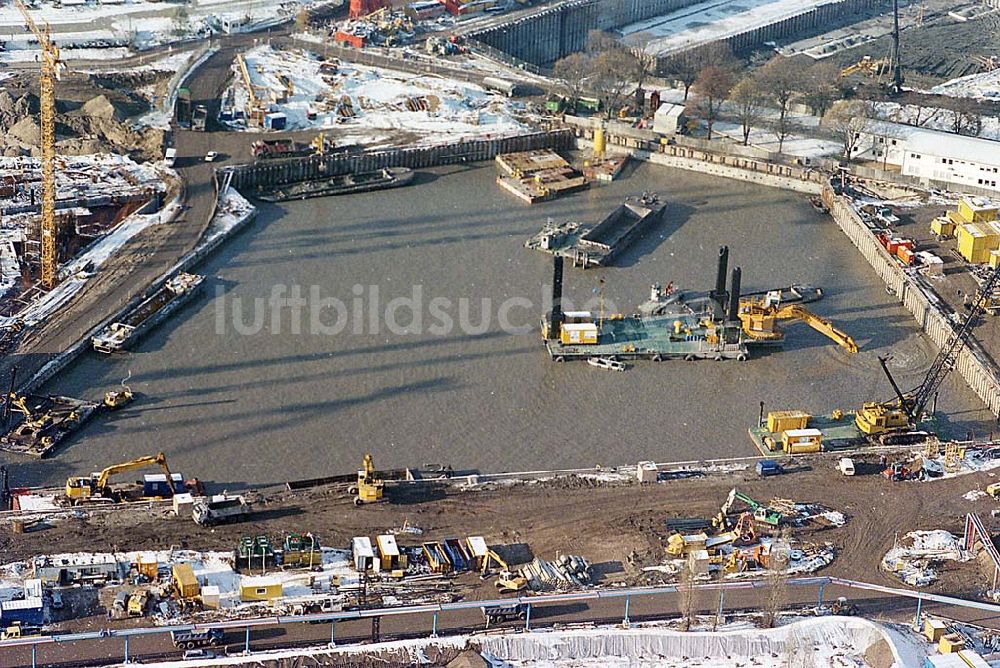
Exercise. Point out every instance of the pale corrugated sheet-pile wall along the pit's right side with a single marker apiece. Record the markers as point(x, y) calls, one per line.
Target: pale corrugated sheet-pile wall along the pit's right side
point(979, 371)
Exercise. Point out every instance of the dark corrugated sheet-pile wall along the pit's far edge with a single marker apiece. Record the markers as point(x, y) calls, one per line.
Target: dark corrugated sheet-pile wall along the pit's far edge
point(276, 172)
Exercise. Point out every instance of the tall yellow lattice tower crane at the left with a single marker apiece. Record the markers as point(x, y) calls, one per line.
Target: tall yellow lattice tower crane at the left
point(51, 67)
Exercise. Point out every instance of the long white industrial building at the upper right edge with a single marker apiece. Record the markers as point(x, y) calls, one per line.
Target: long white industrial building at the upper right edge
point(932, 155)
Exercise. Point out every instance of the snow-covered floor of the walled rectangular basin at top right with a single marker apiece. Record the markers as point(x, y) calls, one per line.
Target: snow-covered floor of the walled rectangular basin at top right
point(710, 21)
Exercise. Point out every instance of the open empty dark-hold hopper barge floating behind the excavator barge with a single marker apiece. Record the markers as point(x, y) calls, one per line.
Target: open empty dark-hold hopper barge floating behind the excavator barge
point(598, 246)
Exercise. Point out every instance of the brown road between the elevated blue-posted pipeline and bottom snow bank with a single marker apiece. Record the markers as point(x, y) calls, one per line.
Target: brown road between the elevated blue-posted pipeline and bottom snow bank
point(586, 609)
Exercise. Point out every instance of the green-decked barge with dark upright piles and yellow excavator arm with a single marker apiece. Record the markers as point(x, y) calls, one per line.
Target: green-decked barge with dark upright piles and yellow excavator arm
point(674, 324)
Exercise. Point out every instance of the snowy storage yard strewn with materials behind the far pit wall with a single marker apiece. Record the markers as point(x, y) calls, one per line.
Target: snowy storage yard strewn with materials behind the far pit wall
point(384, 102)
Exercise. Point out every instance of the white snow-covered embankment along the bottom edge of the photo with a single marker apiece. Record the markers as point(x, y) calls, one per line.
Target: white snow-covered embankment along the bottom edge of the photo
point(837, 642)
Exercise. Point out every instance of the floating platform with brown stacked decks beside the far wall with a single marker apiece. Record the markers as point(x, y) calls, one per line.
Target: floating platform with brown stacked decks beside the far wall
point(537, 176)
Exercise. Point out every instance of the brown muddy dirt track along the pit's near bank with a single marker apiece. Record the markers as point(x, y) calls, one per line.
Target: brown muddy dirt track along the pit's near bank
point(604, 522)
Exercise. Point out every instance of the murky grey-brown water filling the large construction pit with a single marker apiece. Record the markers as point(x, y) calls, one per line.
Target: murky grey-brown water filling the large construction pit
point(237, 389)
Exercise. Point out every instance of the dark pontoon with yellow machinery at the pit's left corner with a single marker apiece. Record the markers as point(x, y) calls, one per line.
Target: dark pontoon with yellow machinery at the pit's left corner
point(46, 421)
